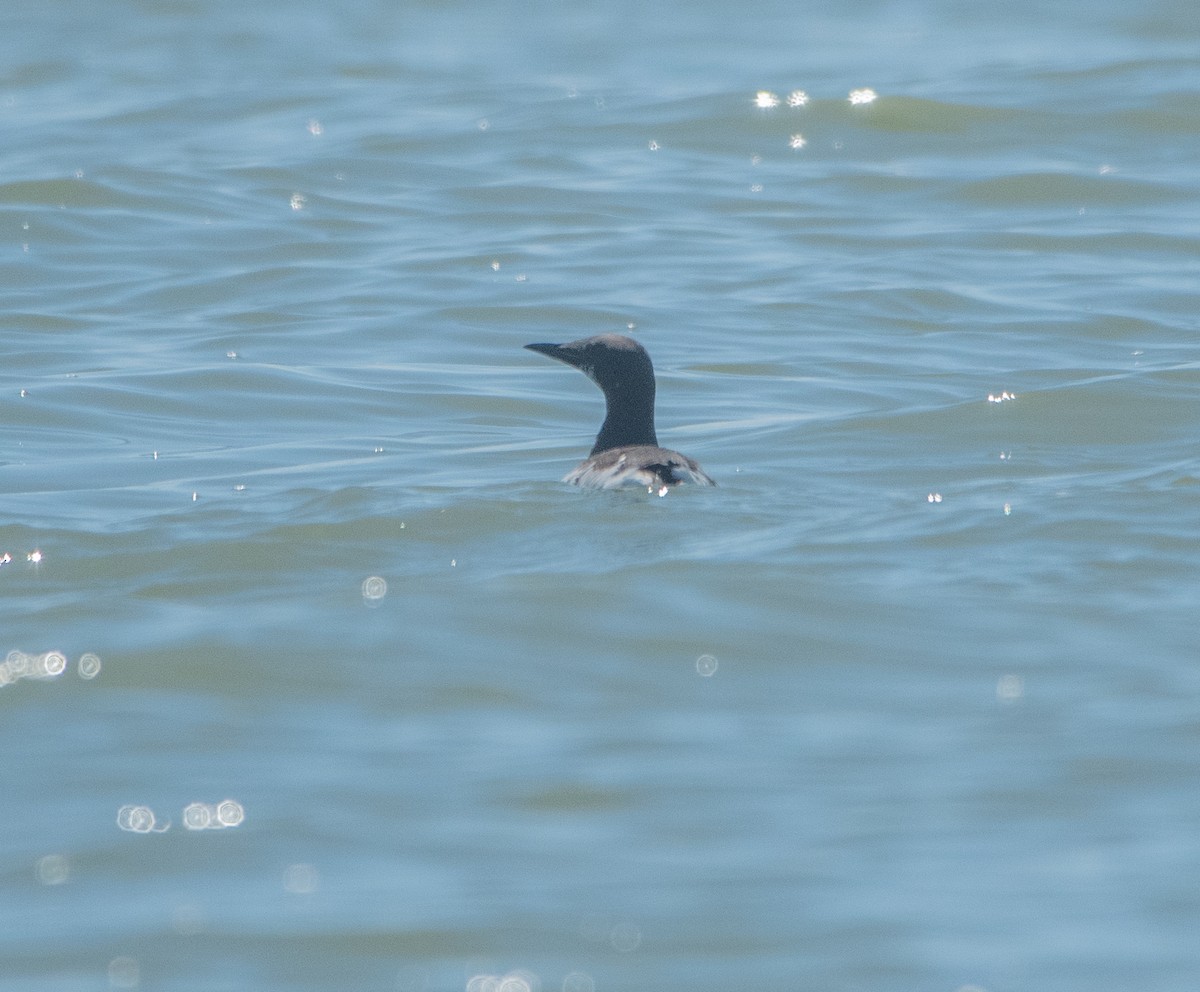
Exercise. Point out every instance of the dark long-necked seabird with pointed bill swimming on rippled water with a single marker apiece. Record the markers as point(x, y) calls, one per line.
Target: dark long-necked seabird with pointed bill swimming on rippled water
point(627, 452)
